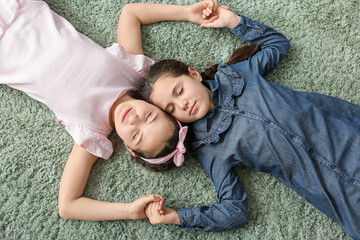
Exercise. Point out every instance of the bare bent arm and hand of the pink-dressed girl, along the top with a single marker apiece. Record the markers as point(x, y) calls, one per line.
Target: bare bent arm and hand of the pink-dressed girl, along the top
point(137, 14)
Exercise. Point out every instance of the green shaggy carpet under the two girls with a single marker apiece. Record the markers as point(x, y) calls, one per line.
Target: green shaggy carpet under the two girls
point(324, 57)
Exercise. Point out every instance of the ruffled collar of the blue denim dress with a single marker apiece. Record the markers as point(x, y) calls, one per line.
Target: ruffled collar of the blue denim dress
point(224, 88)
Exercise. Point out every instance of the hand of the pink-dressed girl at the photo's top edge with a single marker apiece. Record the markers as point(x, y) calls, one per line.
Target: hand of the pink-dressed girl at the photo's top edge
point(203, 11)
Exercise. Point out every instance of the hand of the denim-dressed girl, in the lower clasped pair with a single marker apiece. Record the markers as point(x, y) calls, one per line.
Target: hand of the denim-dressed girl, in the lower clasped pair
point(168, 216)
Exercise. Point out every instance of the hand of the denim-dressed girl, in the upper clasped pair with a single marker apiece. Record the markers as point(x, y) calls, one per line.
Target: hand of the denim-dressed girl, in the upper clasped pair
point(222, 17)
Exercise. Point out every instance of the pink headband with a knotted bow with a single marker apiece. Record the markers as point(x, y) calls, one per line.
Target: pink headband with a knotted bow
point(178, 153)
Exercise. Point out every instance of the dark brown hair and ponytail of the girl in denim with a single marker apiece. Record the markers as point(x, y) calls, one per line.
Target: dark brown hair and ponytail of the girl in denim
point(176, 68)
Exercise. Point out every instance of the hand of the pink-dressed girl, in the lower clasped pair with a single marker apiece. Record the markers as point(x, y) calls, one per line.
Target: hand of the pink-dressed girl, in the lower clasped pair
point(137, 208)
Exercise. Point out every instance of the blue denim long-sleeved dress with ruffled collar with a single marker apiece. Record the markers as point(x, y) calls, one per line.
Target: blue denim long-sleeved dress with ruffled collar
point(308, 141)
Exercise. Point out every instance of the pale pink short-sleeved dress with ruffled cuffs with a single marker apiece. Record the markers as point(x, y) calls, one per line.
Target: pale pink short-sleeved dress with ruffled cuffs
point(44, 56)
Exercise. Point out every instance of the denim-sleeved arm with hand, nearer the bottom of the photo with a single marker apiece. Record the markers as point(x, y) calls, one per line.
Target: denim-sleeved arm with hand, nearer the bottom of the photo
point(230, 212)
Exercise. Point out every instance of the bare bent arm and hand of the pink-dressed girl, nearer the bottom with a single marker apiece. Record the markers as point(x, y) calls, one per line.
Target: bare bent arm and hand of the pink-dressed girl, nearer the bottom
point(73, 205)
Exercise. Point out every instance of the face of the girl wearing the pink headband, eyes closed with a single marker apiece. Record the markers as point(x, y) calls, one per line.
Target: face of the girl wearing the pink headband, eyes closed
point(142, 126)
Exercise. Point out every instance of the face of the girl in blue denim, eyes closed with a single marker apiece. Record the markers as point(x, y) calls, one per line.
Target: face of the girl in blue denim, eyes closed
point(184, 97)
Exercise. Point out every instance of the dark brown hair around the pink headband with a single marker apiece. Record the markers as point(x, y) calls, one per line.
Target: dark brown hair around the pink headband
point(169, 147)
